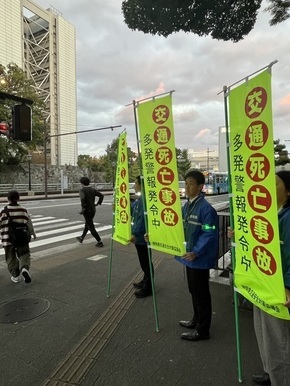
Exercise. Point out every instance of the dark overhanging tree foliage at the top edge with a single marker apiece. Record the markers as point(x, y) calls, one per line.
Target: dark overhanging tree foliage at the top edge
point(221, 19)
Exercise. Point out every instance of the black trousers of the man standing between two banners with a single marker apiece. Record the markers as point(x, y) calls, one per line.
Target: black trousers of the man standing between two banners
point(198, 285)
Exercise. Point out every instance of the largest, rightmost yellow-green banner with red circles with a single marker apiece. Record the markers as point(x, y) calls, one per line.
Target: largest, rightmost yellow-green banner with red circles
point(258, 271)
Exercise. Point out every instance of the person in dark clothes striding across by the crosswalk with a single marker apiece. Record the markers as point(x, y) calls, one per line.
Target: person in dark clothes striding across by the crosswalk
point(87, 197)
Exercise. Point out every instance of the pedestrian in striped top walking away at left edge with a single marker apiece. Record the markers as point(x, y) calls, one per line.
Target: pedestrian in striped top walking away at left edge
point(17, 252)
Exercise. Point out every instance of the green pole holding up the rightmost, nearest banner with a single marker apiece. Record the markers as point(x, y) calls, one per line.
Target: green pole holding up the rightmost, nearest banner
point(237, 323)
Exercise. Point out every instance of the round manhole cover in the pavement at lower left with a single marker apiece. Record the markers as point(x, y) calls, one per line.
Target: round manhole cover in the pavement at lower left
point(22, 309)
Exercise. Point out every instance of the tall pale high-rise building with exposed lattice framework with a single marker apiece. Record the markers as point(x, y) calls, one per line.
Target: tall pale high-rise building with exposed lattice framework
point(43, 44)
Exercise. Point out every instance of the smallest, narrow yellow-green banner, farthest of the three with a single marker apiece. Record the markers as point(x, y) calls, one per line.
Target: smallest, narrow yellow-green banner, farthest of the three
point(122, 218)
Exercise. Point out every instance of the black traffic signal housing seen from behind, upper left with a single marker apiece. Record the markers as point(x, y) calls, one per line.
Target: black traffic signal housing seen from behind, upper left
point(21, 123)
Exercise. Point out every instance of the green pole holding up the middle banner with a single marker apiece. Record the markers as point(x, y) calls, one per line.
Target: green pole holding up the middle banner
point(146, 221)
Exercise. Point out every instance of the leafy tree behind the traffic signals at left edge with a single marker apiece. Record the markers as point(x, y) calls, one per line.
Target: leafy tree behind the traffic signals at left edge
point(14, 81)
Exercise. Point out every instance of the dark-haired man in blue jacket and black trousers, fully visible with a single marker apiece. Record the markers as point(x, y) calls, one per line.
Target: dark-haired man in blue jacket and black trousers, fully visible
point(200, 222)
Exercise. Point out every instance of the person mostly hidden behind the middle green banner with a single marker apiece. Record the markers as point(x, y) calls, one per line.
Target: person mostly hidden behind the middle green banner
point(143, 288)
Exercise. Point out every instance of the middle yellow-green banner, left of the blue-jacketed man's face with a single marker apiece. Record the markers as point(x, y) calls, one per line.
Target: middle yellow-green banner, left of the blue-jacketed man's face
point(160, 174)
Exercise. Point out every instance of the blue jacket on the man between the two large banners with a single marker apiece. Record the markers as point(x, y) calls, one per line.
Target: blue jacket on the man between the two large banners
point(200, 222)
